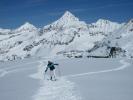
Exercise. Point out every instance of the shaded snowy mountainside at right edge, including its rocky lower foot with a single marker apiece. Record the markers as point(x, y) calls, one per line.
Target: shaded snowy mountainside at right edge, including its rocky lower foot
point(120, 39)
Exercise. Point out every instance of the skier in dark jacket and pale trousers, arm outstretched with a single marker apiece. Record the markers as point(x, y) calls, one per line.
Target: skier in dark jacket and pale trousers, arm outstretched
point(51, 67)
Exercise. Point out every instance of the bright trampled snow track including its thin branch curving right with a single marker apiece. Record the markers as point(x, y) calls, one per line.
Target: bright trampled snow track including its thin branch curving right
point(63, 89)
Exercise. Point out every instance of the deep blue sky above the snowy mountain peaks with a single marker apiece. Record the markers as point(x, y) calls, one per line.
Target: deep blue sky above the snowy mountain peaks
point(14, 13)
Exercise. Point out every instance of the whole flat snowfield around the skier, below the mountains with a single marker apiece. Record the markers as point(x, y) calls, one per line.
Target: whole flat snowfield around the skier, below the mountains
point(81, 79)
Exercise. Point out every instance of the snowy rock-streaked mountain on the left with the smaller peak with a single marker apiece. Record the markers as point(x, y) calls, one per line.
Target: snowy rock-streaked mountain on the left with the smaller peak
point(13, 44)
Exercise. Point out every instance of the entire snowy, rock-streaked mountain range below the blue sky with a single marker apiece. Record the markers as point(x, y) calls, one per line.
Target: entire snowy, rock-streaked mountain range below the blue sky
point(68, 36)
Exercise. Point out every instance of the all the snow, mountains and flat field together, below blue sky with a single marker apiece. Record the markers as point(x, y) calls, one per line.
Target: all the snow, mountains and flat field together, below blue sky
point(77, 79)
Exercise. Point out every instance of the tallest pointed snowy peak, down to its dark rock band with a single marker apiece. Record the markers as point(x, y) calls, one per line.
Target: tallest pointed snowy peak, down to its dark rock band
point(64, 29)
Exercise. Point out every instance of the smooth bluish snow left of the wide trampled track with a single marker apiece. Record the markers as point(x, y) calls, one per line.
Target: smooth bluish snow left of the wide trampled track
point(15, 85)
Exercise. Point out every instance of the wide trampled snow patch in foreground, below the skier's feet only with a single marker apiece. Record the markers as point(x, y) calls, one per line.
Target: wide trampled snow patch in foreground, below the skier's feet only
point(60, 90)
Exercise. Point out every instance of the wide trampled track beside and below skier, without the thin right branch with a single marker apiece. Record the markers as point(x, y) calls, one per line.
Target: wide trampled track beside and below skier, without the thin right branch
point(62, 89)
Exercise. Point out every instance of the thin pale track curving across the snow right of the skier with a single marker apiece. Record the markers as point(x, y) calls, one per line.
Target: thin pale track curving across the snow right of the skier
point(123, 62)
